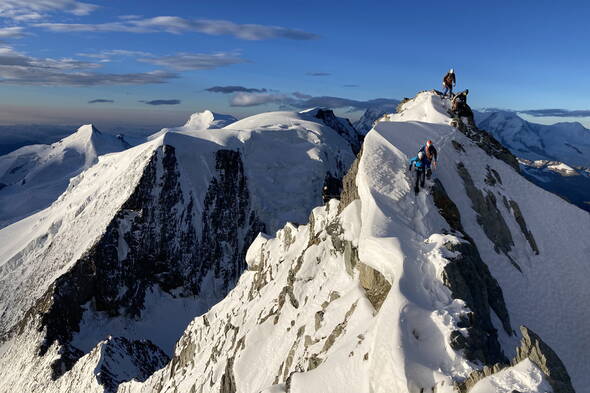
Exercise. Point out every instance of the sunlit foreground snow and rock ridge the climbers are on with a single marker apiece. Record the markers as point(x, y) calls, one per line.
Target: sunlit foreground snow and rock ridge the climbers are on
point(364, 300)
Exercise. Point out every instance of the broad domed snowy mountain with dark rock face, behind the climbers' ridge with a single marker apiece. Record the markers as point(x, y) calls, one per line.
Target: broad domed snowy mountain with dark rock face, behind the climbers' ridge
point(180, 194)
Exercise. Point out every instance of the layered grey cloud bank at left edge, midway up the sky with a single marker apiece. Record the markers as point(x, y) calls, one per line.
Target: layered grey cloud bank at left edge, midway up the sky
point(20, 69)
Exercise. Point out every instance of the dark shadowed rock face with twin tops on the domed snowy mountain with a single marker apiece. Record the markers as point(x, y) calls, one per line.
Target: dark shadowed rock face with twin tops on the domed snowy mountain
point(157, 223)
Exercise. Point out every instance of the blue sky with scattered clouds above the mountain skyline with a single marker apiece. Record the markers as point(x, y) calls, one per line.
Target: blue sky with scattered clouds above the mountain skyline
point(58, 55)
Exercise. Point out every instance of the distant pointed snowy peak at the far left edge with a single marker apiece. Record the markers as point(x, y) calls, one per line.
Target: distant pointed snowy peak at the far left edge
point(32, 177)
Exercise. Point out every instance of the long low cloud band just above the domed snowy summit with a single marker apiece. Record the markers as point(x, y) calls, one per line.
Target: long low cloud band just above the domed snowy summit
point(302, 101)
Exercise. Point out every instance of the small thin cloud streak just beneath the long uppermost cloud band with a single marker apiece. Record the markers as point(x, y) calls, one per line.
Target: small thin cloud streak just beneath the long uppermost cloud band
point(194, 61)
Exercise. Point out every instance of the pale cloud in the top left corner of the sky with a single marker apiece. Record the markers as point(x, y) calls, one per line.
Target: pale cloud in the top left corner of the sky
point(27, 10)
